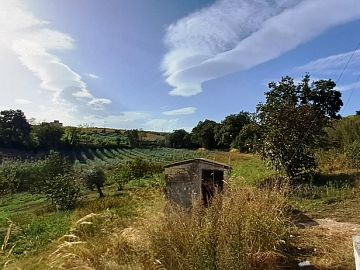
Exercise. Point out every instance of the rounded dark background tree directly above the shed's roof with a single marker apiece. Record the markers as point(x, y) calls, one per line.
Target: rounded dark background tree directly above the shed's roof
point(204, 134)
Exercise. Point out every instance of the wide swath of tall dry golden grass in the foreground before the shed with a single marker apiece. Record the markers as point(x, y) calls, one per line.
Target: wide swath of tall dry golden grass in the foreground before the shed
point(241, 229)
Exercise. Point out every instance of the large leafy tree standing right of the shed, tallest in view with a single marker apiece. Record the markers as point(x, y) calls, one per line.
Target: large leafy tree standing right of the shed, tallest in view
point(293, 119)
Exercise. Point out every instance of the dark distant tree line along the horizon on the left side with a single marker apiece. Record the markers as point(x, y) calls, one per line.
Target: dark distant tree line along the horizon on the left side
point(17, 133)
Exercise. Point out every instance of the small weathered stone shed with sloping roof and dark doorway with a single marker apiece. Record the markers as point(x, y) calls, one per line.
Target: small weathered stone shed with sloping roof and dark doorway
point(194, 178)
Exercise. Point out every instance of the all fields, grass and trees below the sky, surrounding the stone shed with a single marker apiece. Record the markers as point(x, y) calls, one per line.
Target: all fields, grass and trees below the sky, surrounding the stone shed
point(92, 198)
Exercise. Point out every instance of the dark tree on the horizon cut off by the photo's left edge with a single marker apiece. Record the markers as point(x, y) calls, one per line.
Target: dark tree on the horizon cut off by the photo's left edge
point(14, 129)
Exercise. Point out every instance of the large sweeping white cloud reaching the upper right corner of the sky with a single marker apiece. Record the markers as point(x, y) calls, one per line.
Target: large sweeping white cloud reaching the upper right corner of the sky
point(235, 35)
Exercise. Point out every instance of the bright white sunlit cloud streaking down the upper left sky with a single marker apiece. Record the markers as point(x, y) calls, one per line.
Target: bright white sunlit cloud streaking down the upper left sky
point(35, 46)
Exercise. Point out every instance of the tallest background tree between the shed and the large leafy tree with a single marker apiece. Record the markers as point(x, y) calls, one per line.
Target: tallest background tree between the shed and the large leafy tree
point(230, 127)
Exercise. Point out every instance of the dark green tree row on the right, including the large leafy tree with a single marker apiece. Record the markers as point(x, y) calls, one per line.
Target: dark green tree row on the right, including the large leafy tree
point(295, 121)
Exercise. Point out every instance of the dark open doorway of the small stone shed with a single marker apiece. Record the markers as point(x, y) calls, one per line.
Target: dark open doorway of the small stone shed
point(212, 181)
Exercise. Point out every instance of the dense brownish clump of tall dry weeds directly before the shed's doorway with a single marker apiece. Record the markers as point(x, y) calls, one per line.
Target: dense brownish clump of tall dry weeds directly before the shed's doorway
point(243, 229)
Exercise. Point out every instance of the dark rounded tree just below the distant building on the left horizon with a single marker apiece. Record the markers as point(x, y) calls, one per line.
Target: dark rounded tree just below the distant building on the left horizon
point(49, 135)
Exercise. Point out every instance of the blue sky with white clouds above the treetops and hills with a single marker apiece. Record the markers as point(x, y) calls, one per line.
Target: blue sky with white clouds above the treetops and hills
point(168, 64)
